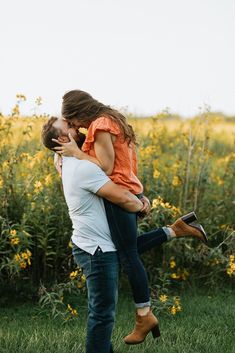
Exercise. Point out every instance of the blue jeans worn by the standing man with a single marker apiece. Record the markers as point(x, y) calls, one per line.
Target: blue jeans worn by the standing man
point(101, 271)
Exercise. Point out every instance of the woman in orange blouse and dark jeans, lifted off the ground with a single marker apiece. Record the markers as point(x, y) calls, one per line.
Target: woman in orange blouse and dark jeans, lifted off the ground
point(110, 143)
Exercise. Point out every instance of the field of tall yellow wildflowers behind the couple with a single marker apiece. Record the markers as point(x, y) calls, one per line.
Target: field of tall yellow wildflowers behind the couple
point(184, 165)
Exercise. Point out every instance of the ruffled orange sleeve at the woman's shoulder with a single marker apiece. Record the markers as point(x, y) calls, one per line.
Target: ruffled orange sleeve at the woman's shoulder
point(100, 124)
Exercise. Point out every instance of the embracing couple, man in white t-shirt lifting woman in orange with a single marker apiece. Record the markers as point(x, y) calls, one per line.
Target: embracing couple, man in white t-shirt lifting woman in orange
point(104, 197)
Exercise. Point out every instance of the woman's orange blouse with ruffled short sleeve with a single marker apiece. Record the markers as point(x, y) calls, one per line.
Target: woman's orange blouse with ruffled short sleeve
point(125, 165)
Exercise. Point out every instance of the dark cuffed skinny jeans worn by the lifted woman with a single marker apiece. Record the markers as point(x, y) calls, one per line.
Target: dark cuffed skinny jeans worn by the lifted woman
point(123, 229)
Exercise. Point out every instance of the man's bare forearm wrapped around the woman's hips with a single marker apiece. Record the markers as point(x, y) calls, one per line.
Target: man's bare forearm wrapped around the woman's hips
point(121, 197)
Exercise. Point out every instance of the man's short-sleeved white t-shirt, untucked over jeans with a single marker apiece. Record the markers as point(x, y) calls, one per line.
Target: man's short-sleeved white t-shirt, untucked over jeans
point(81, 180)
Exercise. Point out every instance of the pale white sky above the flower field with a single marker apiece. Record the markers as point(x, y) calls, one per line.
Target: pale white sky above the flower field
point(144, 55)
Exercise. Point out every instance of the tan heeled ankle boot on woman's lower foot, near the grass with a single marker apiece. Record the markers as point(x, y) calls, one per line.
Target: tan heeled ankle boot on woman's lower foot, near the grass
point(144, 324)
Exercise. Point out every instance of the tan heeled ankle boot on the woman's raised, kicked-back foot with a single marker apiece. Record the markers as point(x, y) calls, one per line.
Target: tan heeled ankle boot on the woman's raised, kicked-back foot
point(183, 229)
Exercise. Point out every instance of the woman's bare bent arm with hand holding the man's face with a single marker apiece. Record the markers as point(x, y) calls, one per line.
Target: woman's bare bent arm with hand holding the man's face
point(103, 146)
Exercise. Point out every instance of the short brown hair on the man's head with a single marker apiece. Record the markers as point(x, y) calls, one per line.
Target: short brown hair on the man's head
point(49, 132)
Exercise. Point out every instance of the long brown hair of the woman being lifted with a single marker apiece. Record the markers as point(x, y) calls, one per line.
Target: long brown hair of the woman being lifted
point(82, 106)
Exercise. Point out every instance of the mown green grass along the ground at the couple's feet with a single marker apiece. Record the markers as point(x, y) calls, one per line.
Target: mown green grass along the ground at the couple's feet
point(206, 325)
